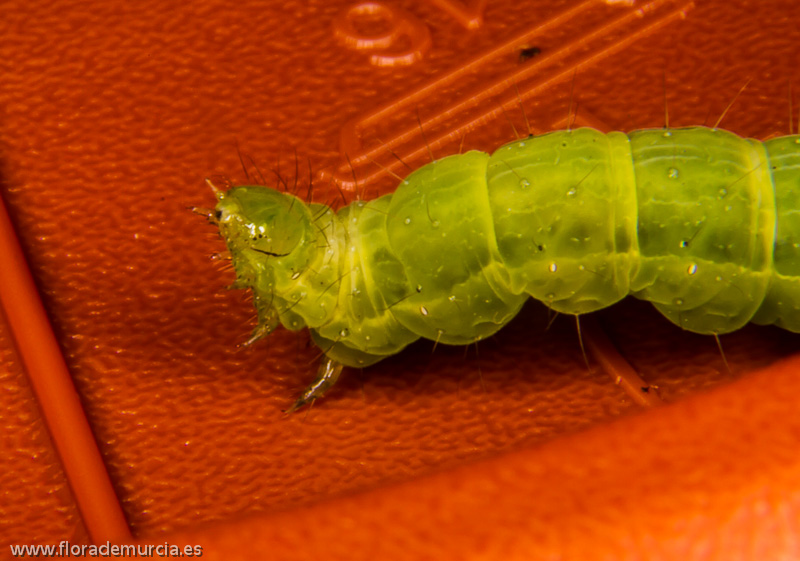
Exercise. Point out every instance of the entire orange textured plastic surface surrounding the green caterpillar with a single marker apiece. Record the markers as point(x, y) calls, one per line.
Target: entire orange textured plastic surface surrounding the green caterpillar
point(151, 423)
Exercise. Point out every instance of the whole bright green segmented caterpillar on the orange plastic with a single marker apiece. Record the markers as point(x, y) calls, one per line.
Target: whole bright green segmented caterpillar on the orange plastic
point(701, 222)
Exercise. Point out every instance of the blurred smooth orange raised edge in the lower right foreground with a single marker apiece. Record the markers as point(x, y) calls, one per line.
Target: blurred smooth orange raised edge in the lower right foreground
point(616, 492)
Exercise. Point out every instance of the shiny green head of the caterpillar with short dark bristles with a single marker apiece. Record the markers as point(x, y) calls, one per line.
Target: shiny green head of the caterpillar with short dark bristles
point(270, 238)
